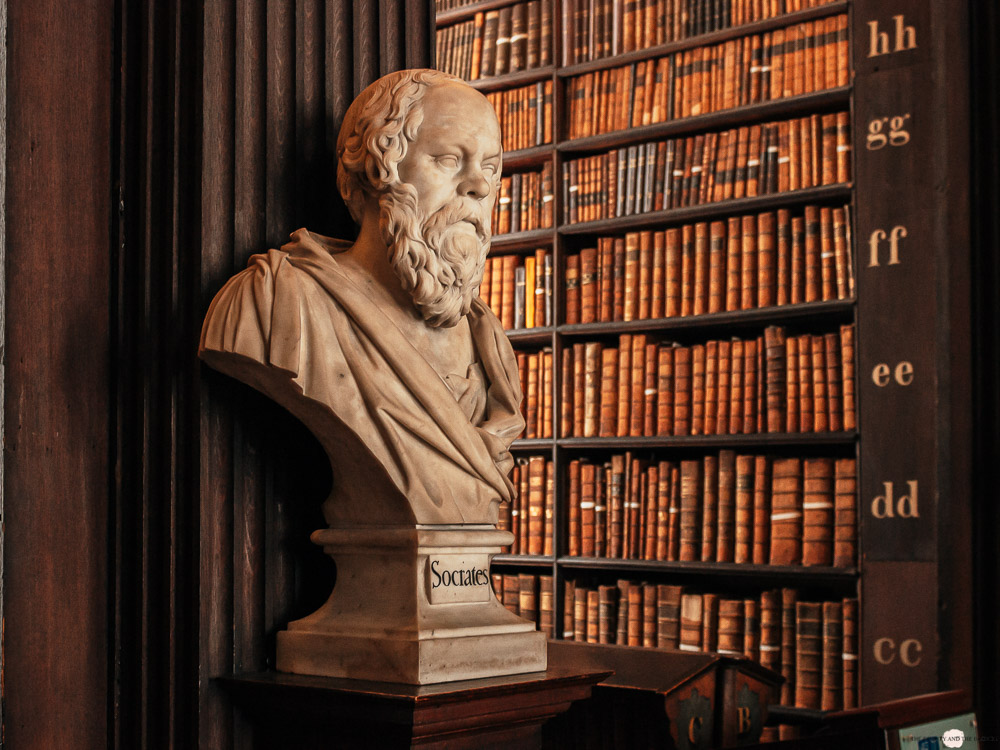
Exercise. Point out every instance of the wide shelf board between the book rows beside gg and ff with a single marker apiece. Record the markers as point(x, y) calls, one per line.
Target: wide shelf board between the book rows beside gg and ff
point(687, 214)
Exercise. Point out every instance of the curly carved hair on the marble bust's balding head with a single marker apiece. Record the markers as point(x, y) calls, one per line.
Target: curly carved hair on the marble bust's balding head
point(377, 128)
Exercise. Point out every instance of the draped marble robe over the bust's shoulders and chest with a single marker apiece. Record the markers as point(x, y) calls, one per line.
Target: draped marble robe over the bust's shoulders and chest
point(406, 445)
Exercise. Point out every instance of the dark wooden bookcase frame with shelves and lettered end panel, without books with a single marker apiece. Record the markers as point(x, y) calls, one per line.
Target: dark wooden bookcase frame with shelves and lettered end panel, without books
point(908, 74)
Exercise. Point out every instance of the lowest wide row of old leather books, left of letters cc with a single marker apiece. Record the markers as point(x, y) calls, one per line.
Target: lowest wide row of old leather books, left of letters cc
point(814, 645)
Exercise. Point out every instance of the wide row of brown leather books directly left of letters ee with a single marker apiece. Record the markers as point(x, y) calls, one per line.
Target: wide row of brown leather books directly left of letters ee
point(773, 383)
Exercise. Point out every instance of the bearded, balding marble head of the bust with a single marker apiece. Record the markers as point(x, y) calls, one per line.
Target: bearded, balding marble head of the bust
point(421, 150)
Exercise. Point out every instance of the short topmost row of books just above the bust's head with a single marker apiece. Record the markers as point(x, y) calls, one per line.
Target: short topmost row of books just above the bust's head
point(507, 40)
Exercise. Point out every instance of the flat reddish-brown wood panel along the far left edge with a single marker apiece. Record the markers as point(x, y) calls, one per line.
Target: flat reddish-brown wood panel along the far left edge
point(58, 212)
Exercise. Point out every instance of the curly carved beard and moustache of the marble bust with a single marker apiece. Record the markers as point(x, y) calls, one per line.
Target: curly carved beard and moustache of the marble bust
point(439, 259)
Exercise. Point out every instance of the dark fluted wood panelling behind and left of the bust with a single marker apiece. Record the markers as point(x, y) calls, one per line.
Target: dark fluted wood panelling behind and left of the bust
point(229, 112)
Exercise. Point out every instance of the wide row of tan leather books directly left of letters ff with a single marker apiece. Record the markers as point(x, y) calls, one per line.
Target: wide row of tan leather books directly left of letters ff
point(746, 262)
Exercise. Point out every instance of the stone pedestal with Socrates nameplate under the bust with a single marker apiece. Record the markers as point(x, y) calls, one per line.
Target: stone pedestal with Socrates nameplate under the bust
point(412, 605)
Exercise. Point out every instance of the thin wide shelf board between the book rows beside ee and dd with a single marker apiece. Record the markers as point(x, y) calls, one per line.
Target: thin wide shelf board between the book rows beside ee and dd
point(754, 440)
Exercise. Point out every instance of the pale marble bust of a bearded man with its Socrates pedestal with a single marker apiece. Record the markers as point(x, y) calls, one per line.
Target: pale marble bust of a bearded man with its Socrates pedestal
point(384, 350)
